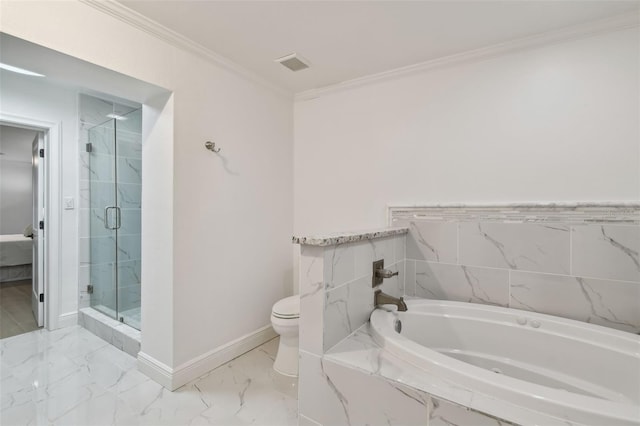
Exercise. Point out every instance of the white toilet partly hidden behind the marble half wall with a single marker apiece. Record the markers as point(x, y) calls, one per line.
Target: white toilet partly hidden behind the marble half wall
point(284, 319)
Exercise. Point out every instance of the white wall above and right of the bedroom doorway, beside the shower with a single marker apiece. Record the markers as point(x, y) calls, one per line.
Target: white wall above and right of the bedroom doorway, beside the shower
point(38, 99)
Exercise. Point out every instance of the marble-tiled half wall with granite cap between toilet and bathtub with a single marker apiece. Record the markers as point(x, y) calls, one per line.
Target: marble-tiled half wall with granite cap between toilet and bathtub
point(336, 296)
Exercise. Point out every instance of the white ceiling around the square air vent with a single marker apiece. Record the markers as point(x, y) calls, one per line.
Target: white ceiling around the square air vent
point(344, 40)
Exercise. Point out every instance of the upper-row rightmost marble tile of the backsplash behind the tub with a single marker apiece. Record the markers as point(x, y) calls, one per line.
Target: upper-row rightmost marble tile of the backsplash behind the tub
point(606, 251)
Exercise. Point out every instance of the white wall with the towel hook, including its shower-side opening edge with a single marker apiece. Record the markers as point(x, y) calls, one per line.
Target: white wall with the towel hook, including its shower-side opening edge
point(216, 229)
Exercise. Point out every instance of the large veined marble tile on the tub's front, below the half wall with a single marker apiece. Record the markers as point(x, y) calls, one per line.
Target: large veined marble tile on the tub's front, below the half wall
point(332, 394)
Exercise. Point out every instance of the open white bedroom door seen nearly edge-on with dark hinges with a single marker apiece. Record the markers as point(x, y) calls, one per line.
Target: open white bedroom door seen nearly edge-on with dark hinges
point(38, 258)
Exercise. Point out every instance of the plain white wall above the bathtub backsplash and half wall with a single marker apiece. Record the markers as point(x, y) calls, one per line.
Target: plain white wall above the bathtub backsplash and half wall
point(555, 123)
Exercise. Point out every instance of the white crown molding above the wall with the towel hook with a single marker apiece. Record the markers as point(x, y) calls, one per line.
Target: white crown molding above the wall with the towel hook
point(141, 22)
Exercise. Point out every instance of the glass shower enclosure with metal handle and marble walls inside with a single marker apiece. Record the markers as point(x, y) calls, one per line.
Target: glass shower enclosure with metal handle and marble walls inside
point(114, 163)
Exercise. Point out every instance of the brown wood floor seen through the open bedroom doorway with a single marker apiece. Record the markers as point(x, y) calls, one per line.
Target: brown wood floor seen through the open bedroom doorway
point(15, 309)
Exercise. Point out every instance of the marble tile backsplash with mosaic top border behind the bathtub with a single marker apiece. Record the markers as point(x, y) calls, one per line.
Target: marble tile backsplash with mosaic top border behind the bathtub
point(574, 261)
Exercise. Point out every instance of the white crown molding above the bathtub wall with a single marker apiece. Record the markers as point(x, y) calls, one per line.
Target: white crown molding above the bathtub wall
point(616, 23)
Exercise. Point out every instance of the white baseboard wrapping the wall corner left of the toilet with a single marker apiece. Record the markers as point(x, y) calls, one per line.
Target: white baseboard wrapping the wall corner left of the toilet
point(174, 378)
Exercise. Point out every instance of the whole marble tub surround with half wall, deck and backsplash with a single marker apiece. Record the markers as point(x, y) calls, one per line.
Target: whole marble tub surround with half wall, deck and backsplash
point(519, 256)
